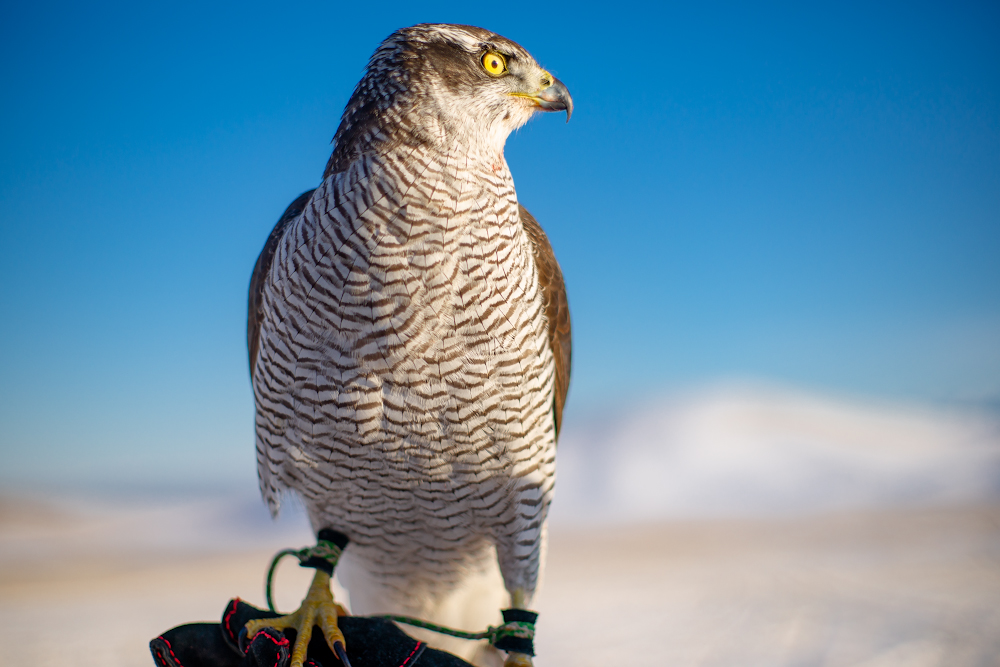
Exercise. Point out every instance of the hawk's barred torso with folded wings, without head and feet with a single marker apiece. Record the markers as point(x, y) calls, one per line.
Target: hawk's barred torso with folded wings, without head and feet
point(404, 371)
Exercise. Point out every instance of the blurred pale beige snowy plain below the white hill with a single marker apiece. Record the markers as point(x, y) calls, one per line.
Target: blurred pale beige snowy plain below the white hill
point(913, 588)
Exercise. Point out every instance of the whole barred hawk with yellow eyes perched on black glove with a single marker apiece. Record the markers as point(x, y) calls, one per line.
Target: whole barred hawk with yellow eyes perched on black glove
point(409, 341)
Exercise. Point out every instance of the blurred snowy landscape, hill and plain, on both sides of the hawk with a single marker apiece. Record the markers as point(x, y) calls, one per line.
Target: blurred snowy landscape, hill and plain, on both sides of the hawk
point(726, 529)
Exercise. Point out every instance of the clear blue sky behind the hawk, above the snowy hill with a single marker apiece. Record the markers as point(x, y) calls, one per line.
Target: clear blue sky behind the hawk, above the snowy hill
point(806, 195)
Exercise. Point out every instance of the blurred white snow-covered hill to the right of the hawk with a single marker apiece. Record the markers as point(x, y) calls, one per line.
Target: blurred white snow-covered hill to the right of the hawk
point(740, 450)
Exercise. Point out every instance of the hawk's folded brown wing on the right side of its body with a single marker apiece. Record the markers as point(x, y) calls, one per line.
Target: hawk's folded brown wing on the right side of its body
point(556, 308)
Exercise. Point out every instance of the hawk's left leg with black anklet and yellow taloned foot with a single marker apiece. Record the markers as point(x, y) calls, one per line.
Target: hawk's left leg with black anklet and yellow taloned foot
point(318, 608)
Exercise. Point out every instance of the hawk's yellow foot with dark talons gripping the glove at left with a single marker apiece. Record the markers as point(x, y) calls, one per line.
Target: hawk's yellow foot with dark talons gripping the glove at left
point(319, 609)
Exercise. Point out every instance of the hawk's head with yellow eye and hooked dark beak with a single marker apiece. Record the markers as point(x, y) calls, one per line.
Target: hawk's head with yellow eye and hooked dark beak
point(445, 84)
